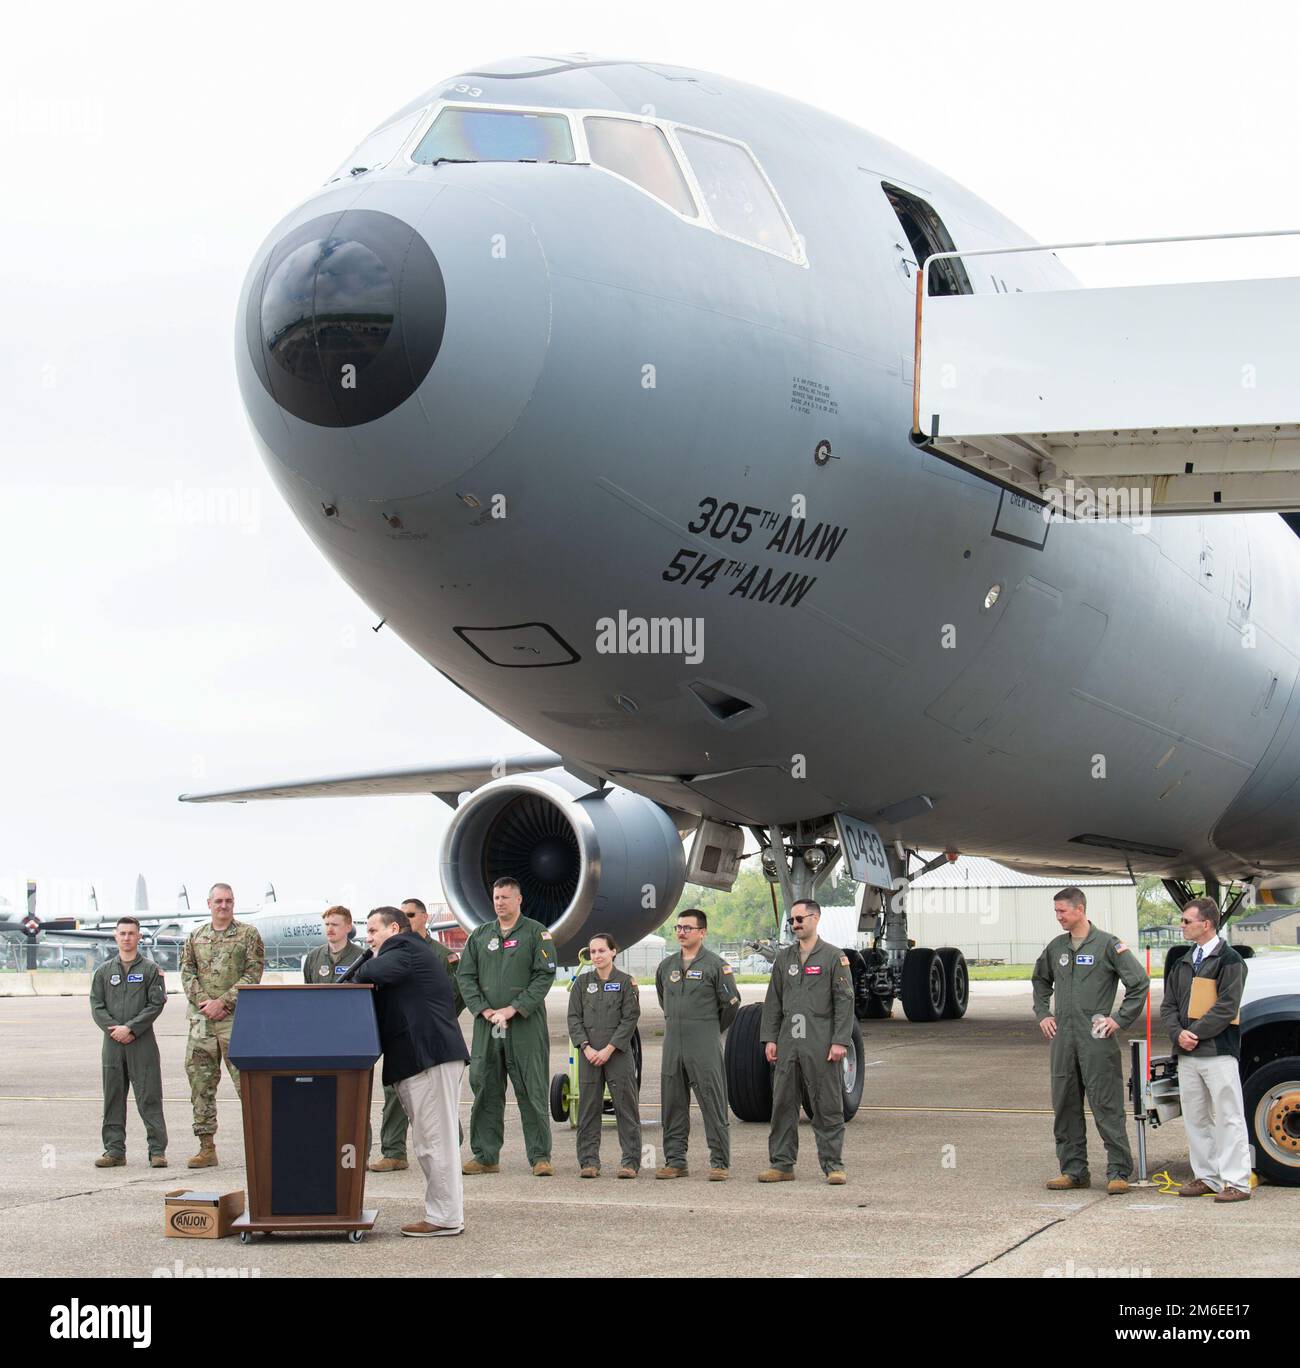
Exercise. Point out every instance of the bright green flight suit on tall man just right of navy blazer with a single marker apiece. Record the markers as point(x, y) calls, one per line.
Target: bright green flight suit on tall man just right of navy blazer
point(515, 969)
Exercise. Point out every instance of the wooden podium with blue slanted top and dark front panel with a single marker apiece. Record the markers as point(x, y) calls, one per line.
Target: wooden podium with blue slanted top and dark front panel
point(306, 1055)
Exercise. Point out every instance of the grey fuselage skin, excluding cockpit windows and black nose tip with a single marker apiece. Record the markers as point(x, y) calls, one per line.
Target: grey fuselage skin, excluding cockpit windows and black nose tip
point(1101, 644)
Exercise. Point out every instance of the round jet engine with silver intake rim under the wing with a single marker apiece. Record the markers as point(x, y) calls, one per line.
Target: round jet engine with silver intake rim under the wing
point(586, 861)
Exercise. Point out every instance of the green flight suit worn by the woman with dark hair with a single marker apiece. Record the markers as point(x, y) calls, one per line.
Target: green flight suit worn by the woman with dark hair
point(606, 1013)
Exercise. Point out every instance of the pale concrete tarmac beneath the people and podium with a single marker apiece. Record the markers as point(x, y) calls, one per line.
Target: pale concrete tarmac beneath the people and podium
point(946, 1166)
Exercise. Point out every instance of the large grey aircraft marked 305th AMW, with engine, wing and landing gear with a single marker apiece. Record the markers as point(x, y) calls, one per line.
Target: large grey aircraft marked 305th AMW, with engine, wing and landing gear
point(593, 380)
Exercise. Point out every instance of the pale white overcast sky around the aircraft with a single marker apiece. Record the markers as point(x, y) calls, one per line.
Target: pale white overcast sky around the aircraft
point(166, 626)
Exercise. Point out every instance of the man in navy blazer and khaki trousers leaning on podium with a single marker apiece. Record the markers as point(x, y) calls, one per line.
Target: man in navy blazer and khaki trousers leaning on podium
point(424, 1058)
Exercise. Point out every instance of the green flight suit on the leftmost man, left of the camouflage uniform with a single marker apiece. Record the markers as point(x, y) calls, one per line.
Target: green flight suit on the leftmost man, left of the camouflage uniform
point(131, 995)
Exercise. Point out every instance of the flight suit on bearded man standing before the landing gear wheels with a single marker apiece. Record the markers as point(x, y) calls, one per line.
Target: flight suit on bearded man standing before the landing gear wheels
point(808, 1010)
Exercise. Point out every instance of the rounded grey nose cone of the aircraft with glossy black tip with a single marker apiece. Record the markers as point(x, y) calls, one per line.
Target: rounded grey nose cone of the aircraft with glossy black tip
point(388, 350)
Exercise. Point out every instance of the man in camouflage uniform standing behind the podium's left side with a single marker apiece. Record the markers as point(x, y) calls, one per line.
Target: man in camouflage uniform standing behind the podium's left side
point(217, 962)
